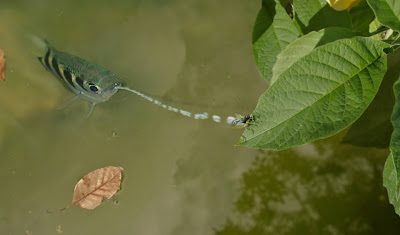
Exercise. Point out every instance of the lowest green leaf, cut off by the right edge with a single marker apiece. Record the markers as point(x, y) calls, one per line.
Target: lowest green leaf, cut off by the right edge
point(391, 182)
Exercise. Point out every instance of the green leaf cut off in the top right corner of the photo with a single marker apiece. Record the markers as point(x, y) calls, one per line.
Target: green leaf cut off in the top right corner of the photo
point(387, 12)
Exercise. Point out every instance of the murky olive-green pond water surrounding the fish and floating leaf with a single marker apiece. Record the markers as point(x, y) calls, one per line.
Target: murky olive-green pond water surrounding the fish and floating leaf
point(181, 176)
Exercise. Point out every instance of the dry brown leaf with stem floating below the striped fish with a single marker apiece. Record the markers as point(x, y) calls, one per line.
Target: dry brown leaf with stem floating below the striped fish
point(96, 186)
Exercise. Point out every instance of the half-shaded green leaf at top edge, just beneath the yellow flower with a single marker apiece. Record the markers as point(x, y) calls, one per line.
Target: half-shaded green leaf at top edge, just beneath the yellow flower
point(314, 15)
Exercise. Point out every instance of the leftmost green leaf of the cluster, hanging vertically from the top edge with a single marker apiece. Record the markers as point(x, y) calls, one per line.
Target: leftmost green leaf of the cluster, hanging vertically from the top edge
point(273, 31)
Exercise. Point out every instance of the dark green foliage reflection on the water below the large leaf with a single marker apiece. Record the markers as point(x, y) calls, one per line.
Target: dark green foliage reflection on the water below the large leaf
point(313, 189)
